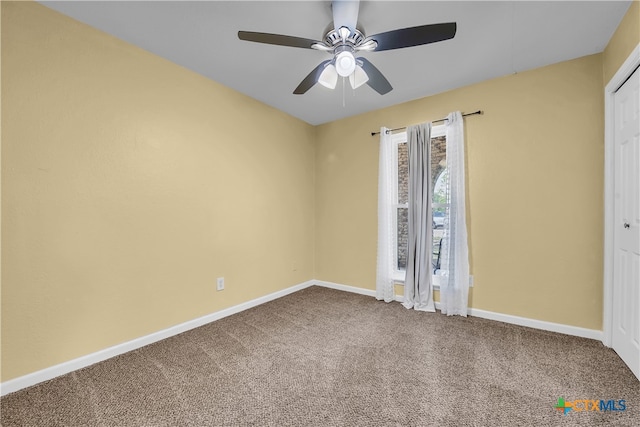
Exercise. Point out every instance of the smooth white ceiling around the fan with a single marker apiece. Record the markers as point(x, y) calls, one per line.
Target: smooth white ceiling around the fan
point(493, 39)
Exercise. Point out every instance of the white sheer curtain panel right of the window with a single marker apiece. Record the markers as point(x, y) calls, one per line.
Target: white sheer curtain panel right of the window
point(454, 286)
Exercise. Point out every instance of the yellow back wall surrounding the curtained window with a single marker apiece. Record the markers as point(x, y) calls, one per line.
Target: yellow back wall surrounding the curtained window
point(535, 183)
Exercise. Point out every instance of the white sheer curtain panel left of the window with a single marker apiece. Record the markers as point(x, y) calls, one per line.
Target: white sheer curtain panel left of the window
point(384, 269)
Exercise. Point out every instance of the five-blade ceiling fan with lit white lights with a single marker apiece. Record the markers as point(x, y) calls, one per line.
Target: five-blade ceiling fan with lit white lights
point(344, 41)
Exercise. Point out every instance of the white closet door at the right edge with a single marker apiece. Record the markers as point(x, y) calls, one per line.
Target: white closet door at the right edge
point(626, 259)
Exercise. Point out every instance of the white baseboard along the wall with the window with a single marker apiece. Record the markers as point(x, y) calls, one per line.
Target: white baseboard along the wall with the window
point(506, 318)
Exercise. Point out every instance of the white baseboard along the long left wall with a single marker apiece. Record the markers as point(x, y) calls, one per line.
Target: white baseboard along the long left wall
point(90, 359)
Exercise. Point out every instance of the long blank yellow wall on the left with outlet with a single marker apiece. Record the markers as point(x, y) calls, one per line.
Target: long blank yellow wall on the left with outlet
point(128, 185)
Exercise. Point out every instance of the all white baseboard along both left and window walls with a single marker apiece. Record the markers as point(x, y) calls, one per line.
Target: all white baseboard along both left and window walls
point(90, 359)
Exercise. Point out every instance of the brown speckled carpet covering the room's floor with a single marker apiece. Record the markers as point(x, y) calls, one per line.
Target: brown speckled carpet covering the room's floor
point(322, 357)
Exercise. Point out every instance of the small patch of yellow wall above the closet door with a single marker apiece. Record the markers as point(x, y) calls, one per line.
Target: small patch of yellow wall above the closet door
point(623, 41)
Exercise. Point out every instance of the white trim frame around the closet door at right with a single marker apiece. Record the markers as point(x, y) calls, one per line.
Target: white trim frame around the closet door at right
point(624, 72)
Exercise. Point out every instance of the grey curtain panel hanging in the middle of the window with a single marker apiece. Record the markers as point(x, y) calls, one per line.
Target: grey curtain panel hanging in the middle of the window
point(418, 288)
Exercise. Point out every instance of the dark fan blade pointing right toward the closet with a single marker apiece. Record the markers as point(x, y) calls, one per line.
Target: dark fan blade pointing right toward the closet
point(414, 36)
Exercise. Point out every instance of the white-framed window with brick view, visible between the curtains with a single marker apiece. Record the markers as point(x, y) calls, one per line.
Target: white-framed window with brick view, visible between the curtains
point(440, 205)
